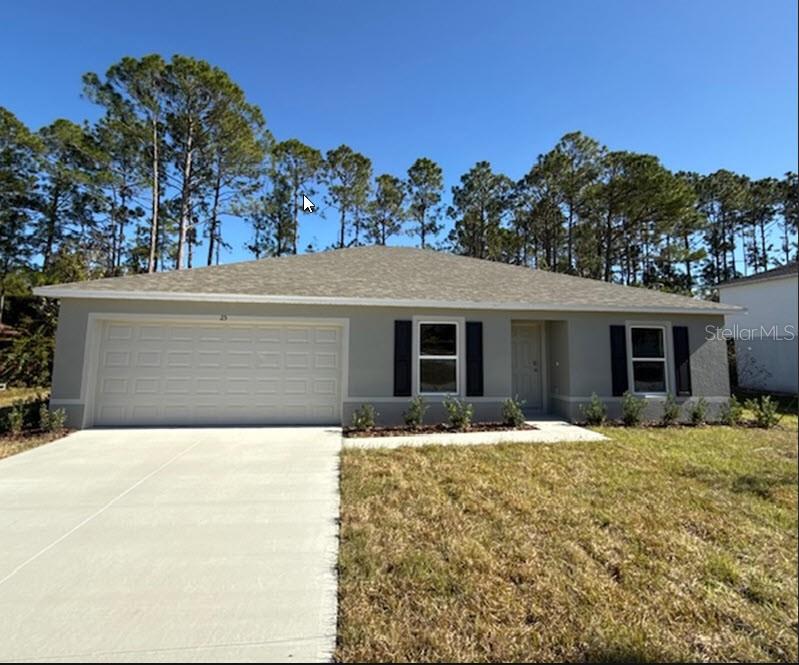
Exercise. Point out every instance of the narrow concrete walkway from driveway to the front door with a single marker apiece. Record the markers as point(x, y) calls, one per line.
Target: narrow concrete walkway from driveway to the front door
point(547, 431)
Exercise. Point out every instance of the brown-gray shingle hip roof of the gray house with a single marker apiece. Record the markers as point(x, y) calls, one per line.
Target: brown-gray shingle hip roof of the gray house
point(386, 276)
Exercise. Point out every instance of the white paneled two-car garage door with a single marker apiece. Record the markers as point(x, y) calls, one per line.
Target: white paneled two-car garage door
point(157, 373)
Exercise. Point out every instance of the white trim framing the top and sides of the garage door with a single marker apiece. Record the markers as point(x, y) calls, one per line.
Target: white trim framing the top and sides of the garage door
point(95, 320)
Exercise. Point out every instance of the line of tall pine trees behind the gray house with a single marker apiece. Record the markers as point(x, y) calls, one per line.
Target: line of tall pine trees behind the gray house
point(178, 150)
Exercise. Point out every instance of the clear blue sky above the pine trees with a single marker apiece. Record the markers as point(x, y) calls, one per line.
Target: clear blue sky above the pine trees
point(702, 84)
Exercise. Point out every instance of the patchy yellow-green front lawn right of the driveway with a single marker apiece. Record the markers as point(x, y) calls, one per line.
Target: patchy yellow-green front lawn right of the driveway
point(660, 544)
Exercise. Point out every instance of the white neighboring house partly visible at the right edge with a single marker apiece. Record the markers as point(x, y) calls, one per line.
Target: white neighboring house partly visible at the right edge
point(766, 343)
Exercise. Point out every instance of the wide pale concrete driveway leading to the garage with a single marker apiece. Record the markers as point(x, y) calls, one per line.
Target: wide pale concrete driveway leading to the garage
point(171, 545)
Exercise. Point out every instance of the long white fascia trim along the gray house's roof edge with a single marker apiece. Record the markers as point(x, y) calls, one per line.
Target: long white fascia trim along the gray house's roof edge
point(80, 294)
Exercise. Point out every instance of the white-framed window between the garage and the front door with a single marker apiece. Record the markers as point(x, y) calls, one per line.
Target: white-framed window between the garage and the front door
point(438, 358)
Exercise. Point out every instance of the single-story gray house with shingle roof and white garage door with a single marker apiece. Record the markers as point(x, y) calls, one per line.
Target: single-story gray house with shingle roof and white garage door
point(310, 338)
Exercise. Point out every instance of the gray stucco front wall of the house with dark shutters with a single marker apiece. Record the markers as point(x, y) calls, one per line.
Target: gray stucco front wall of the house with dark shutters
point(577, 351)
